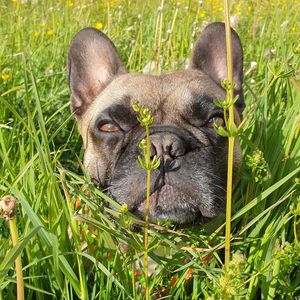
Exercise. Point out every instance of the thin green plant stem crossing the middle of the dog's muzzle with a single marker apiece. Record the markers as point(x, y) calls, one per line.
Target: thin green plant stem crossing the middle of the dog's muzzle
point(147, 211)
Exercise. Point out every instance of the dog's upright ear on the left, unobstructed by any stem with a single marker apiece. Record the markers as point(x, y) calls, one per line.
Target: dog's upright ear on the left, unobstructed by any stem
point(93, 61)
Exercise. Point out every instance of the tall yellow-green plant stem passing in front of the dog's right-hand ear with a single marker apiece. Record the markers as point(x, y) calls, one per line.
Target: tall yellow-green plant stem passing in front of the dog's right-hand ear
point(231, 138)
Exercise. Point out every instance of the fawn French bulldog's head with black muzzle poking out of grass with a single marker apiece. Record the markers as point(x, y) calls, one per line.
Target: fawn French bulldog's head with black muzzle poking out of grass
point(190, 182)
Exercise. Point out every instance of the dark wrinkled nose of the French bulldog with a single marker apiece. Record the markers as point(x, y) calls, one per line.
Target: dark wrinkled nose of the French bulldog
point(166, 146)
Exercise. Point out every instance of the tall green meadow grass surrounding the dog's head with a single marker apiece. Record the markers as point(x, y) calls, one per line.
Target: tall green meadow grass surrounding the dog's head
point(41, 155)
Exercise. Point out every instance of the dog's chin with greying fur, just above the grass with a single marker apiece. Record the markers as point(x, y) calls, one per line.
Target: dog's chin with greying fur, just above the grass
point(168, 203)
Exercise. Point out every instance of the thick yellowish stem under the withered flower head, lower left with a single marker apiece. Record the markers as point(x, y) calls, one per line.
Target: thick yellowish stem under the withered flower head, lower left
point(18, 262)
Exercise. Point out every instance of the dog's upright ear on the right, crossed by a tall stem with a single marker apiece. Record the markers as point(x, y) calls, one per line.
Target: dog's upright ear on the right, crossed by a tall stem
point(209, 56)
